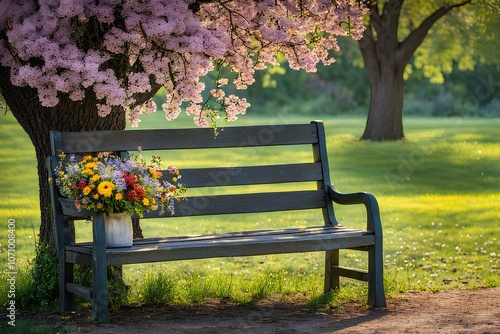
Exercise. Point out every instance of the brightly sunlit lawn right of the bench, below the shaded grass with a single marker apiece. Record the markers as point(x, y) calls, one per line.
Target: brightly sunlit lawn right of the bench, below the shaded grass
point(443, 240)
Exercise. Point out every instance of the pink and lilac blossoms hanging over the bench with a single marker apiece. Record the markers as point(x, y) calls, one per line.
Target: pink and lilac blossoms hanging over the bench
point(63, 48)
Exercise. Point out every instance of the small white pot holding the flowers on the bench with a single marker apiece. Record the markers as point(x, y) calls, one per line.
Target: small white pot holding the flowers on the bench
point(119, 232)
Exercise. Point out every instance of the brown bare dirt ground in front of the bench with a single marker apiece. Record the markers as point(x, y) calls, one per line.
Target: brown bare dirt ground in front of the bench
point(460, 311)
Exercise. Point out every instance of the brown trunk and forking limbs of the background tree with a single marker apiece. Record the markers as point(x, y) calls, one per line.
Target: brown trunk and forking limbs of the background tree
point(385, 58)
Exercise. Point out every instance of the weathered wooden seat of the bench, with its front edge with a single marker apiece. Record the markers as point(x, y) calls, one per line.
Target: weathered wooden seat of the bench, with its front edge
point(231, 244)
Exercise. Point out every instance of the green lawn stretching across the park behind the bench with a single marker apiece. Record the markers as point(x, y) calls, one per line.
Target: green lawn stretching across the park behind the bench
point(438, 192)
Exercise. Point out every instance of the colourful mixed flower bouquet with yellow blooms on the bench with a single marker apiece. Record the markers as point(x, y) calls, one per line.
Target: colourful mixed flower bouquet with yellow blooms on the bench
point(114, 185)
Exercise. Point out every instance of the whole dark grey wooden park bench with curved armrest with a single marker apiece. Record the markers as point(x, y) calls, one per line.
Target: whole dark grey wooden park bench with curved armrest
point(312, 190)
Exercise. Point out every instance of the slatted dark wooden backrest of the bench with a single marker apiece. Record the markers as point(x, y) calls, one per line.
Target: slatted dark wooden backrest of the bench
point(248, 138)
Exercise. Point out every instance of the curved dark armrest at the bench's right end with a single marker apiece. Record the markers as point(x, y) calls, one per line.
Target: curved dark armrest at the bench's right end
point(372, 211)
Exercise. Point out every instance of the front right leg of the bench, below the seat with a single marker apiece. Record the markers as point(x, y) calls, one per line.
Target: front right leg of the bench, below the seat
point(376, 295)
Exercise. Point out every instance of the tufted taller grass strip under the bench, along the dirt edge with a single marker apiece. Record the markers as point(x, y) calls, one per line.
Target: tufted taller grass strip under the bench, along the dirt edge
point(157, 288)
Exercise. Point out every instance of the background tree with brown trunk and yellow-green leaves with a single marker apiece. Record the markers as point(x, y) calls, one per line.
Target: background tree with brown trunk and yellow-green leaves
point(399, 31)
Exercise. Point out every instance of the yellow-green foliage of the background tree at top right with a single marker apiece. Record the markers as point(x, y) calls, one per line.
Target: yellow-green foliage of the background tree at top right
point(459, 40)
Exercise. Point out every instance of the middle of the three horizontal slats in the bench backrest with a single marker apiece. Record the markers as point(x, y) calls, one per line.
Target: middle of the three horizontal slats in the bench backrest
point(229, 176)
